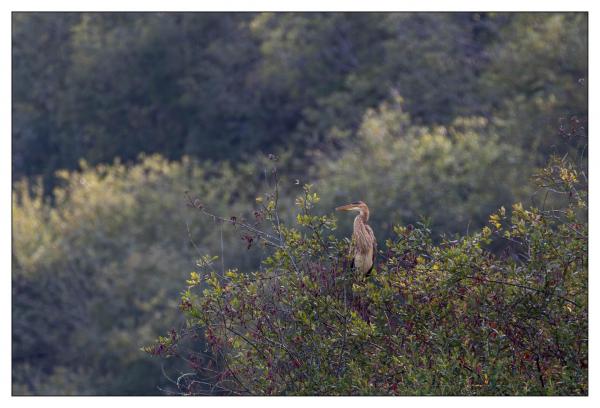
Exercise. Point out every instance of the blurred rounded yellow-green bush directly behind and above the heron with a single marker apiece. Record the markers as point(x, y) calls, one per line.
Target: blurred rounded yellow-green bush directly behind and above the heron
point(455, 175)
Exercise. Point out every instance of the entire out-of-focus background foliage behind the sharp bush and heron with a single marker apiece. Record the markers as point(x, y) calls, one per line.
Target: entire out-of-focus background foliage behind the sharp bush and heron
point(115, 115)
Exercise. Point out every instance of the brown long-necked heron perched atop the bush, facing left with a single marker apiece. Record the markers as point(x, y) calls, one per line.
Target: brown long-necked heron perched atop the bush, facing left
point(364, 244)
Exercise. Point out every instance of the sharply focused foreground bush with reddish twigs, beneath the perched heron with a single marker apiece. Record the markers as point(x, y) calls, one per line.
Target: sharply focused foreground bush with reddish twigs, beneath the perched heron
point(433, 319)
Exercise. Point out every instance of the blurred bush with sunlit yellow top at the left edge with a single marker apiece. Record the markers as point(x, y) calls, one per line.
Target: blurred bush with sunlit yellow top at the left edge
point(96, 270)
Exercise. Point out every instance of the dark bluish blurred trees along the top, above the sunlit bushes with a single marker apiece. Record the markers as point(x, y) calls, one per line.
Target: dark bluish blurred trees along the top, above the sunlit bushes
point(218, 86)
